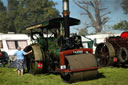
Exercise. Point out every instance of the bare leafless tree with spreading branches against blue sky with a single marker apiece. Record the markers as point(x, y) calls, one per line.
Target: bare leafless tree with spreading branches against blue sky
point(97, 20)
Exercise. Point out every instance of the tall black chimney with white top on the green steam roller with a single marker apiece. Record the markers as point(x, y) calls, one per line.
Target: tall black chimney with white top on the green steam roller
point(66, 17)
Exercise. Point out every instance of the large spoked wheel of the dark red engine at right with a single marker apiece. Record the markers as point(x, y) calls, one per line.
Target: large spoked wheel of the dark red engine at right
point(104, 54)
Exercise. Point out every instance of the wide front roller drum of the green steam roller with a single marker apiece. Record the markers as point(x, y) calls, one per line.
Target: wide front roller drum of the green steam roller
point(80, 61)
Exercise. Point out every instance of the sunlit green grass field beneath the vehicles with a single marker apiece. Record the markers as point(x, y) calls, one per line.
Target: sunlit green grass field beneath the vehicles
point(107, 76)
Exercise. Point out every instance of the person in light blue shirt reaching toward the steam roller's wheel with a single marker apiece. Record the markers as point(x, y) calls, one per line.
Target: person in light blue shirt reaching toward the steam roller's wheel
point(20, 60)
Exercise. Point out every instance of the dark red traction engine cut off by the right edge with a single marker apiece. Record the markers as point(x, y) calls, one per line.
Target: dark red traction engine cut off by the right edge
point(114, 51)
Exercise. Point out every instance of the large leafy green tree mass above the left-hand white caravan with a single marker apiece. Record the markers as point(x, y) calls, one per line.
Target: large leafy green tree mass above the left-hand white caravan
point(21, 13)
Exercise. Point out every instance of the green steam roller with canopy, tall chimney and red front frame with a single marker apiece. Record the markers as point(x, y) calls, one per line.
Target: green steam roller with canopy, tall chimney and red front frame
point(56, 50)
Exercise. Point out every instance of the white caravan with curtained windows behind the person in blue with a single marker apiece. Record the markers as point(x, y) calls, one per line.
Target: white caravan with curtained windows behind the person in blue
point(9, 42)
